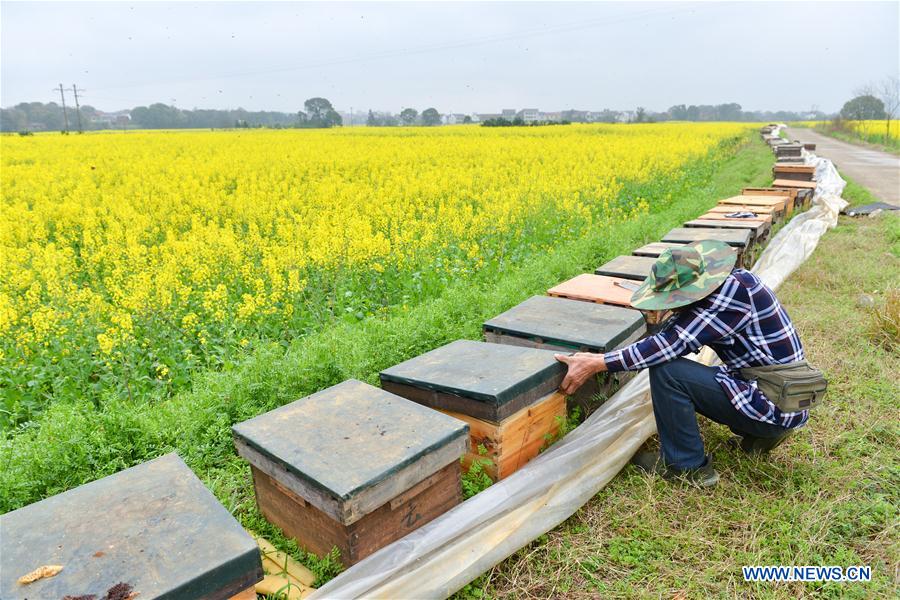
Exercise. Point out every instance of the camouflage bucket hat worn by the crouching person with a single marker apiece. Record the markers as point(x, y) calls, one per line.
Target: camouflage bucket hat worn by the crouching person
point(684, 275)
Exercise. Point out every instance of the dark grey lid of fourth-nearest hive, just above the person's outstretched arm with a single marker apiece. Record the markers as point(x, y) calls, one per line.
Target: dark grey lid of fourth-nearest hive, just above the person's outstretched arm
point(578, 325)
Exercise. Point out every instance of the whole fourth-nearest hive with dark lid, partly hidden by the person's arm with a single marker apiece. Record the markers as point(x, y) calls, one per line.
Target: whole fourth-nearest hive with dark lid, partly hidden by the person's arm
point(570, 326)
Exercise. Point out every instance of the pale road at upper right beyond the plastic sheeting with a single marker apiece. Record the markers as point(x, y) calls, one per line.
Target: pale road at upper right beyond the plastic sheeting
point(877, 171)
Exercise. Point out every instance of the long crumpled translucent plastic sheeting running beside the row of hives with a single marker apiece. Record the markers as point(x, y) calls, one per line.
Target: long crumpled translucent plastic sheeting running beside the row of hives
point(444, 555)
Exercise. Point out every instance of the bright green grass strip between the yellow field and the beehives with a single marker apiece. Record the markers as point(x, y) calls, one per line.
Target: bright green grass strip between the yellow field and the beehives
point(72, 443)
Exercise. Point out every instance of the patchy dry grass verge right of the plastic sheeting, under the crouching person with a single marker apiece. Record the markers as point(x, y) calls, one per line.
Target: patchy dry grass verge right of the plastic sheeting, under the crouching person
point(827, 497)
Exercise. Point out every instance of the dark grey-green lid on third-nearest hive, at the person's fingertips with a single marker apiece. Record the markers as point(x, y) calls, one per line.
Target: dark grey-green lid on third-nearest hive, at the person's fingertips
point(492, 374)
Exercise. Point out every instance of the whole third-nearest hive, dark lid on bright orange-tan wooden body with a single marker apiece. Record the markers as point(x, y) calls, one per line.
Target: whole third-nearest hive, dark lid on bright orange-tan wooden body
point(507, 395)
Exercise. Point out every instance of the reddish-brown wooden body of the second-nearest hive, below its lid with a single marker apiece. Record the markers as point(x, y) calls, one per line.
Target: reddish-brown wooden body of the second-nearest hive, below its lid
point(318, 533)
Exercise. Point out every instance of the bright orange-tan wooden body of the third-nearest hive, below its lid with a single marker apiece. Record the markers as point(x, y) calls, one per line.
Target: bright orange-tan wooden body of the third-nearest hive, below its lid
point(518, 439)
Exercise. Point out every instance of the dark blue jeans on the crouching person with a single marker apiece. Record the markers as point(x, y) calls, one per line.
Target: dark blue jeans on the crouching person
point(680, 389)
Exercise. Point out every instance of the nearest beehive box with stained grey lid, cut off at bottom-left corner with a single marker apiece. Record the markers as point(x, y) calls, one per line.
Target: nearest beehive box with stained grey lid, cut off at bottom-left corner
point(154, 527)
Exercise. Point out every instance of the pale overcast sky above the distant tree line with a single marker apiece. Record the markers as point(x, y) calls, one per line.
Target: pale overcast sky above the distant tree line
point(459, 57)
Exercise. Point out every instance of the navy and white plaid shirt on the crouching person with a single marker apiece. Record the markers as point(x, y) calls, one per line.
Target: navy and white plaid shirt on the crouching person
point(745, 325)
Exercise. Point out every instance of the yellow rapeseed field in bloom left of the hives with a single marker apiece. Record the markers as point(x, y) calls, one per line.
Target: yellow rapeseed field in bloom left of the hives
point(130, 259)
